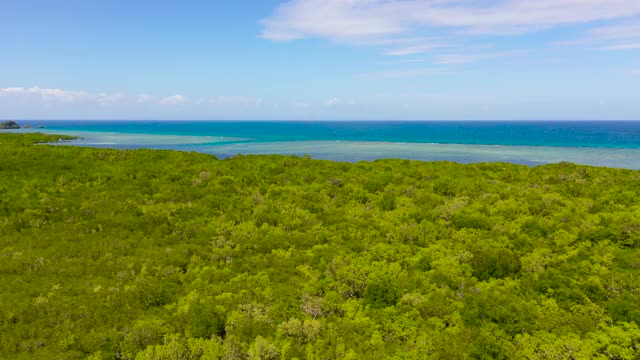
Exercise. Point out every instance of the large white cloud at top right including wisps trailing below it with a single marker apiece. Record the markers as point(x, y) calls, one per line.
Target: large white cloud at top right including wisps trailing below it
point(414, 27)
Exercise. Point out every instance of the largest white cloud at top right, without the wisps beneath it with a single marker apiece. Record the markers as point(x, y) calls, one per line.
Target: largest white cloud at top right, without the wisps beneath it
point(370, 19)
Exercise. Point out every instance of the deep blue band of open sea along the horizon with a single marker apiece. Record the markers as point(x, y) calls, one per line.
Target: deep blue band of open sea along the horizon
point(599, 134)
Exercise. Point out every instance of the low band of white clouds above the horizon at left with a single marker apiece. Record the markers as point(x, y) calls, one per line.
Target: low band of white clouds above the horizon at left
point(52, 103)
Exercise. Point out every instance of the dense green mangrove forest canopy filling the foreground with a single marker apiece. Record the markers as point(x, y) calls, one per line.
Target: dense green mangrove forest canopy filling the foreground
point(111, 254)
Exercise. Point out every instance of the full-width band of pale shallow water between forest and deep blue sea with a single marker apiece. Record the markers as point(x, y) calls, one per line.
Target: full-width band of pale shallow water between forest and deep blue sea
point(354, 151)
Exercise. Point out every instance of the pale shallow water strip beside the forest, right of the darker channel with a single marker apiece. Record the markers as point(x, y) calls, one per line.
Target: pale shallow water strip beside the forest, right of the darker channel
point(355, 151)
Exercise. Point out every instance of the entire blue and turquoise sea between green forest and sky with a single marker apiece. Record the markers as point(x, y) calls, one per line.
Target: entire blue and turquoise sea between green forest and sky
point(605, 143)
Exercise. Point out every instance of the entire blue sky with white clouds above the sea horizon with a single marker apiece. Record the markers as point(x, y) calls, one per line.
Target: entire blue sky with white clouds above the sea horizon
point(320, 59)
